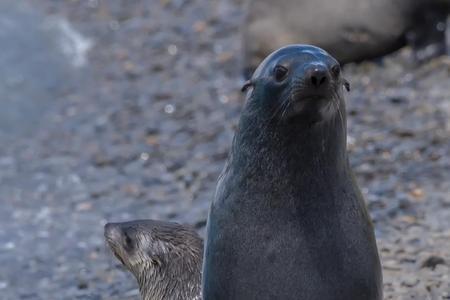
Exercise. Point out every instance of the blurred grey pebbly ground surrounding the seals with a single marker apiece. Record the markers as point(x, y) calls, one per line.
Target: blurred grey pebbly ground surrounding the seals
point(125, 109)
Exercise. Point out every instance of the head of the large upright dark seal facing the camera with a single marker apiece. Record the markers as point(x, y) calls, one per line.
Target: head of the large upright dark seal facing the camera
point(298, 81)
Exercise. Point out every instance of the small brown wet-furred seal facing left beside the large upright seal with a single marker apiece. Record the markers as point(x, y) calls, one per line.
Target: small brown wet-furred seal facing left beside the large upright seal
point(164, 257)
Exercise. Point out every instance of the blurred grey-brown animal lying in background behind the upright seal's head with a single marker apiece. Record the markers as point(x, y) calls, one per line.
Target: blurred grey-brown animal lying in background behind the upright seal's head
point(350, 30)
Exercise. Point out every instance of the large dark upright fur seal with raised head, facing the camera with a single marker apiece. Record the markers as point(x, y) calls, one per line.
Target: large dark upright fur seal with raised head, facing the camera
point(288, 220)
